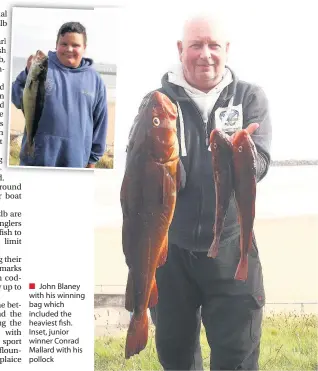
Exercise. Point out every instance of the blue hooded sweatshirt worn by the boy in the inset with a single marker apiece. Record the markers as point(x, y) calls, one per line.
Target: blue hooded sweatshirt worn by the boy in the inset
point(73, 126)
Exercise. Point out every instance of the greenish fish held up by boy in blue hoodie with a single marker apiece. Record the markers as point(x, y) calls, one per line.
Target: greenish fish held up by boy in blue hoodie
point(34, 96)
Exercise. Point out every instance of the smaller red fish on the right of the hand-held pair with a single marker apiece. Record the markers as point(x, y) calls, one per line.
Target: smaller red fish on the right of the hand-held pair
point(244, 163)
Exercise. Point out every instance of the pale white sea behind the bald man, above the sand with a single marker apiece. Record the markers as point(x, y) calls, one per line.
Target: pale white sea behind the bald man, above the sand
point(284, 192)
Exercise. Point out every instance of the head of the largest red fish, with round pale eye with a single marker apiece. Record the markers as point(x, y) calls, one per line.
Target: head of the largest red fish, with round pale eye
point(163, 128)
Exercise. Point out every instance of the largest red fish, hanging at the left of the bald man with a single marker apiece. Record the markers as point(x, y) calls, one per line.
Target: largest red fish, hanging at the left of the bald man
point(148, 197)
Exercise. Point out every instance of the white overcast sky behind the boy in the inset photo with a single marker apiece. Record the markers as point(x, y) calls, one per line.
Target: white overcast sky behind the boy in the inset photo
point(37, 28)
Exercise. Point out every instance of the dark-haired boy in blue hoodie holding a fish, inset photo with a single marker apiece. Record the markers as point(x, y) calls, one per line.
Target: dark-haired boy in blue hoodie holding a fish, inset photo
point(64, 104)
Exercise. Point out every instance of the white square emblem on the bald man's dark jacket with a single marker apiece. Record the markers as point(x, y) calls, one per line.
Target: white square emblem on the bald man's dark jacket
point(229, 119)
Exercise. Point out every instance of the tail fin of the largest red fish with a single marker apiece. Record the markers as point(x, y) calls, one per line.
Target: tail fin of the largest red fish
point(137, 335)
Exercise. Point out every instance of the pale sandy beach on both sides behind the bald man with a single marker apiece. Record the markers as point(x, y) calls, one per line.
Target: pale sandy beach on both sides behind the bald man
point(287, 248)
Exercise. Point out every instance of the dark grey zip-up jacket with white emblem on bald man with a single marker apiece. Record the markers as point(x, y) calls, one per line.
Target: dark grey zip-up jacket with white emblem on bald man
point(241, 103)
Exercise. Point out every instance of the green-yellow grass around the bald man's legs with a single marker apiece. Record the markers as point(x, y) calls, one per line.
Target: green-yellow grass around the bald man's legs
point(289, 342)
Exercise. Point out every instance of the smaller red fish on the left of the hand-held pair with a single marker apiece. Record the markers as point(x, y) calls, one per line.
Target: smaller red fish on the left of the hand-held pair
point(221, 149)
